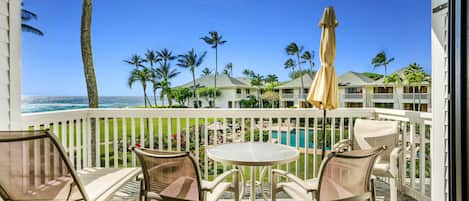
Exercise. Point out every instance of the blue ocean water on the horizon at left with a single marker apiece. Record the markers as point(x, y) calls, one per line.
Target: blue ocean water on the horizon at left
point(30, 104)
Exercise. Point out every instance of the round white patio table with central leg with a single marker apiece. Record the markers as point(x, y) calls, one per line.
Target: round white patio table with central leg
point(253, 154)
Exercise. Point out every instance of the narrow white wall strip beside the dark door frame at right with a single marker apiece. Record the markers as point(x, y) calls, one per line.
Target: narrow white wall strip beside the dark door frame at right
point(439, 89)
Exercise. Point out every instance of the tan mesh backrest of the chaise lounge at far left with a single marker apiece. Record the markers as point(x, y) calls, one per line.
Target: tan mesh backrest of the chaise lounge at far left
point(34, 166)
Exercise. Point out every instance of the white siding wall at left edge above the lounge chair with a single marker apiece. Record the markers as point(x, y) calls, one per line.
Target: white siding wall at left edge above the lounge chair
point(10, 64)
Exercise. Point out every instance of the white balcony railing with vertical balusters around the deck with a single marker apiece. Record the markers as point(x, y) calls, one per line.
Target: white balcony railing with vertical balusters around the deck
point(189, 130)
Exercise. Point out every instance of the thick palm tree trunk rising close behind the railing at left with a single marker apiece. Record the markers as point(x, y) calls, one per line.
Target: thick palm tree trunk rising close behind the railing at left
point(90, 77)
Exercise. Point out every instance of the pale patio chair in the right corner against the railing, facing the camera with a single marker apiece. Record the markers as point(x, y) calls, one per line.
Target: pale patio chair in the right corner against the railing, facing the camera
point(372, 133)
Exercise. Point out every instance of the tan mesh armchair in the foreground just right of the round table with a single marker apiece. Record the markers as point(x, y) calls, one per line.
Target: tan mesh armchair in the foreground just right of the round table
point(342, 177)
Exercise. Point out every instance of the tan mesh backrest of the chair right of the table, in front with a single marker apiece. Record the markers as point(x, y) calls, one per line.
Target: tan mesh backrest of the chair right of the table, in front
point(344, 175)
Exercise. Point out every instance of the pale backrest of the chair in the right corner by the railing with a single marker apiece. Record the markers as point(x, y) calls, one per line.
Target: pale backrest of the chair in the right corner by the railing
point(374, 133)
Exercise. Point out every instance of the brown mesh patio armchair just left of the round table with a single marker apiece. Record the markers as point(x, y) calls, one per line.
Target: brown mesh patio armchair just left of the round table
point(175, 176)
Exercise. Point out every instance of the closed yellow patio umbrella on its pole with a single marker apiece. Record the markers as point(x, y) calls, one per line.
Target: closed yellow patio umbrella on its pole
point(323, 92)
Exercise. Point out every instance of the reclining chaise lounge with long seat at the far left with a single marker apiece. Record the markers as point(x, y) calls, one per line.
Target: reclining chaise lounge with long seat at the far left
point(34, 166)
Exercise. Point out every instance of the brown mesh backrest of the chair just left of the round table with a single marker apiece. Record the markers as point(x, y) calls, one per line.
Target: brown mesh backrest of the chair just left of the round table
point(171, 175)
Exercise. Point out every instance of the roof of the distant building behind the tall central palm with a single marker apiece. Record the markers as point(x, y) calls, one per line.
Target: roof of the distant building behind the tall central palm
point(223, 81)
